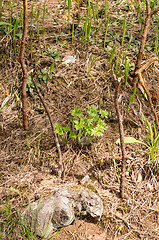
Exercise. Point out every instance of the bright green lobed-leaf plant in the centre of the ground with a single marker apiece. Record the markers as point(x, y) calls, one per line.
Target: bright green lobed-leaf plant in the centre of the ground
point(87, 126)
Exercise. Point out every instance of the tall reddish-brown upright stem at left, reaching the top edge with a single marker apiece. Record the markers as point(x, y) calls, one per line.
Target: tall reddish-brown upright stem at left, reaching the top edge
point(24, 84)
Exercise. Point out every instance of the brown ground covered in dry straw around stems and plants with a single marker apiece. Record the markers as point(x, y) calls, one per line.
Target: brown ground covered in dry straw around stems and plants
point(28, 161)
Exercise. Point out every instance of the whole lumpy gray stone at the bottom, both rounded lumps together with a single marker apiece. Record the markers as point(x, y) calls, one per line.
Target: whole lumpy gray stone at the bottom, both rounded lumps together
point(58, 210)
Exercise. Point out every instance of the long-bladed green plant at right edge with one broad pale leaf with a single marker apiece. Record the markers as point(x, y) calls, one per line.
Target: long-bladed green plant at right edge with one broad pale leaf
point(151, 140)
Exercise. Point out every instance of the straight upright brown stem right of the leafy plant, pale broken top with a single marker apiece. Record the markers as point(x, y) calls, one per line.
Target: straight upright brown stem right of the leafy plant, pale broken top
point(122, 144)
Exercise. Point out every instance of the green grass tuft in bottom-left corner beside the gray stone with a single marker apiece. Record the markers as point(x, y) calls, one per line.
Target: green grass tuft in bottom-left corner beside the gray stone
point(13, 226)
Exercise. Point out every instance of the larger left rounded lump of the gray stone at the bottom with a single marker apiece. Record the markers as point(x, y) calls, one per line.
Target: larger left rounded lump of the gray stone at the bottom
point(52, 213)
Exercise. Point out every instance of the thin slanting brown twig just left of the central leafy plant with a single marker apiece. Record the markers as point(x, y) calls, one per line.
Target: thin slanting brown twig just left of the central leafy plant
point(60, 164)
